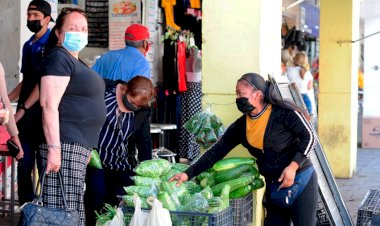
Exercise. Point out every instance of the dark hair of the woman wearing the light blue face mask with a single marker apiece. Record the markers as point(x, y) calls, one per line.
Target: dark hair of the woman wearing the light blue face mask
point(53, 39)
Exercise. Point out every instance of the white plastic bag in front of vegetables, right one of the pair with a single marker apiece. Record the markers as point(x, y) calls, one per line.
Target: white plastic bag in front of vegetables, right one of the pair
point(158, 216)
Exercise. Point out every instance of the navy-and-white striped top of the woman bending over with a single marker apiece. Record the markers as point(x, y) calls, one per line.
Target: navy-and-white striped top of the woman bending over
point(114, 135)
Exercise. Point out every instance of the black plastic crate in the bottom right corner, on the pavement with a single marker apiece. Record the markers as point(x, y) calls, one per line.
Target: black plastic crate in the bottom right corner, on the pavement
point(369, 207)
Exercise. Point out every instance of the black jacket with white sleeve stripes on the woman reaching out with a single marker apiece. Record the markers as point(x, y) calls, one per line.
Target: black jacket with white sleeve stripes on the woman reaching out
point(288, 137)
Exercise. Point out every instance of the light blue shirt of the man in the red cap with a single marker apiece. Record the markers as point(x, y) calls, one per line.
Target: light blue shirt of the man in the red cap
point(123, 64)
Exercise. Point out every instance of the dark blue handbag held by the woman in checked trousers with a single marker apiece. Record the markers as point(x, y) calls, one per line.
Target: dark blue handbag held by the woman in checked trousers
point(35, 213)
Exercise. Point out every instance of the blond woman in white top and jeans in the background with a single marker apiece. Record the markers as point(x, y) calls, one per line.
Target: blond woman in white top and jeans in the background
point(301, 75)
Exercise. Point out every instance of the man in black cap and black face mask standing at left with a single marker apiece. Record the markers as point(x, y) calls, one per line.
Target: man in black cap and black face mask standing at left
point(28, 115)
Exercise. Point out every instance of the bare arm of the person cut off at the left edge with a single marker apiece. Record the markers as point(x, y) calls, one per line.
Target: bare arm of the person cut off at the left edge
point(7, 117)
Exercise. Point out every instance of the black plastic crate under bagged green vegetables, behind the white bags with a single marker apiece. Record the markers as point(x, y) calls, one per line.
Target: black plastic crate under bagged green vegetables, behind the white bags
point(223, 218)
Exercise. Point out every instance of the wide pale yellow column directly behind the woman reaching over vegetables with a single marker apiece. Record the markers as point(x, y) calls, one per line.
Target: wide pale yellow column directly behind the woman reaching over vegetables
point(239, 36)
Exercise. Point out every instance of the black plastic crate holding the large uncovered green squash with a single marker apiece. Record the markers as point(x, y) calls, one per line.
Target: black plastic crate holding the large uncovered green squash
point(242, 210)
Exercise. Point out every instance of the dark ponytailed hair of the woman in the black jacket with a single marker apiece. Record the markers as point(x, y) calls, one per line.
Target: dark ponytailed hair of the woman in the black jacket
point(271, 96)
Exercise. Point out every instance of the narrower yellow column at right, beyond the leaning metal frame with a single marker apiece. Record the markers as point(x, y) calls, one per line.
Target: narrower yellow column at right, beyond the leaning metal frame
point(338, 83)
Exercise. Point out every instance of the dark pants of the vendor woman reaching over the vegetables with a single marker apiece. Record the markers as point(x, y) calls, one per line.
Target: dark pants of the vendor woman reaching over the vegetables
point(302, 212)
